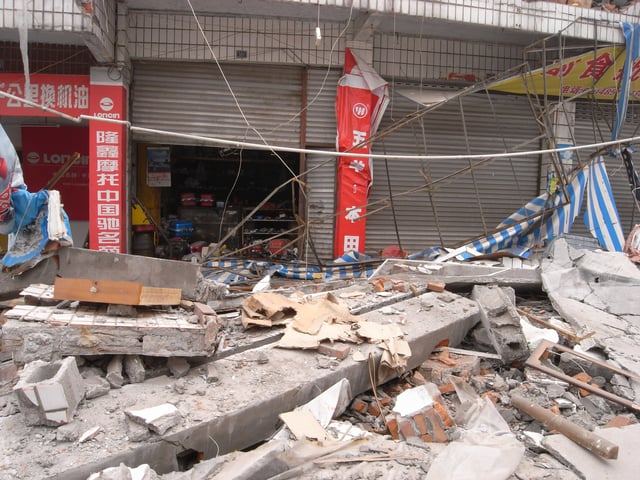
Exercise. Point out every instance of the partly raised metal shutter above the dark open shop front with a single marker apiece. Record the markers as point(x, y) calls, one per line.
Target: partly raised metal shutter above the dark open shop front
point(193, 98)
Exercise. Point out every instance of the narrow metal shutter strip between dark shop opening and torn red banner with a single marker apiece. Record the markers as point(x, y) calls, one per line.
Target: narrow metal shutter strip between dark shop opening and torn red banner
point(321, 131)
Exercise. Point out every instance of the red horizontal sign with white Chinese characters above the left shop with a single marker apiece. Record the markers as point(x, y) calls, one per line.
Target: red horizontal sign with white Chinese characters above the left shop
point(67, 94)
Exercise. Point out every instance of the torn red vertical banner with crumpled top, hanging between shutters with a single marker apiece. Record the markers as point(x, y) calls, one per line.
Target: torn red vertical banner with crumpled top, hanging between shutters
point(362, 97)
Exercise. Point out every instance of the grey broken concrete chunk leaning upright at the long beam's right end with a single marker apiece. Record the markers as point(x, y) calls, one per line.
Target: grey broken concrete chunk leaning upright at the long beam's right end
point(502, 322)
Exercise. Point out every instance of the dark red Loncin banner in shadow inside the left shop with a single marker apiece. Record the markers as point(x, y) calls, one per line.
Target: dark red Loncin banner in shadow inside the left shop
point(45, 150)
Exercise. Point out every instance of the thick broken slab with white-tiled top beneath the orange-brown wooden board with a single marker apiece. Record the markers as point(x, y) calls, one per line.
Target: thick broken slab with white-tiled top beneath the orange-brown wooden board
point(48, 333)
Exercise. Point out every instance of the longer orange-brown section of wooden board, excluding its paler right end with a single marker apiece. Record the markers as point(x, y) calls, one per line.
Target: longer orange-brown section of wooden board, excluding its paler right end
point(97, 291)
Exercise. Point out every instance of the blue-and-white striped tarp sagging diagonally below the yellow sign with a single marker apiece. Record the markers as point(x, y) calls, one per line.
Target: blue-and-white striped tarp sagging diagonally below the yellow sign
point(601, 216)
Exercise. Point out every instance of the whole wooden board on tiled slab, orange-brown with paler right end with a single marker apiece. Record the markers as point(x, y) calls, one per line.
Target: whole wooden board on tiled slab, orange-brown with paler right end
point(114, 292)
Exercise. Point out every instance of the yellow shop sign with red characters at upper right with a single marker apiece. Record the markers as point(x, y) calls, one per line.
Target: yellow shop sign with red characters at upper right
point(599, 71)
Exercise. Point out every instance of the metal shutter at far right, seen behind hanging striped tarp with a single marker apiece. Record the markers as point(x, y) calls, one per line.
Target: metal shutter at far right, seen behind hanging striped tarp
point(593, 125)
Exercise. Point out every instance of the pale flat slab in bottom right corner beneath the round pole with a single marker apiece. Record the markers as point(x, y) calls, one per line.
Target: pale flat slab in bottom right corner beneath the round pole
point(591, 467)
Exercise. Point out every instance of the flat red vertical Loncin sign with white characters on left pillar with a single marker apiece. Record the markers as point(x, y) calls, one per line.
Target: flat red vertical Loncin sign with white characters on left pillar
point(107, 163)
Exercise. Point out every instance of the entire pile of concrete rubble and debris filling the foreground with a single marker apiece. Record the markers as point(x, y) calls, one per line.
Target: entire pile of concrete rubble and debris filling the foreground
point(424, 370)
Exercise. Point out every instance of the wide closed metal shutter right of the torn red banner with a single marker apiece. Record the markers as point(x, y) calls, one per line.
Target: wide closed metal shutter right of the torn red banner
point(503, 185)
